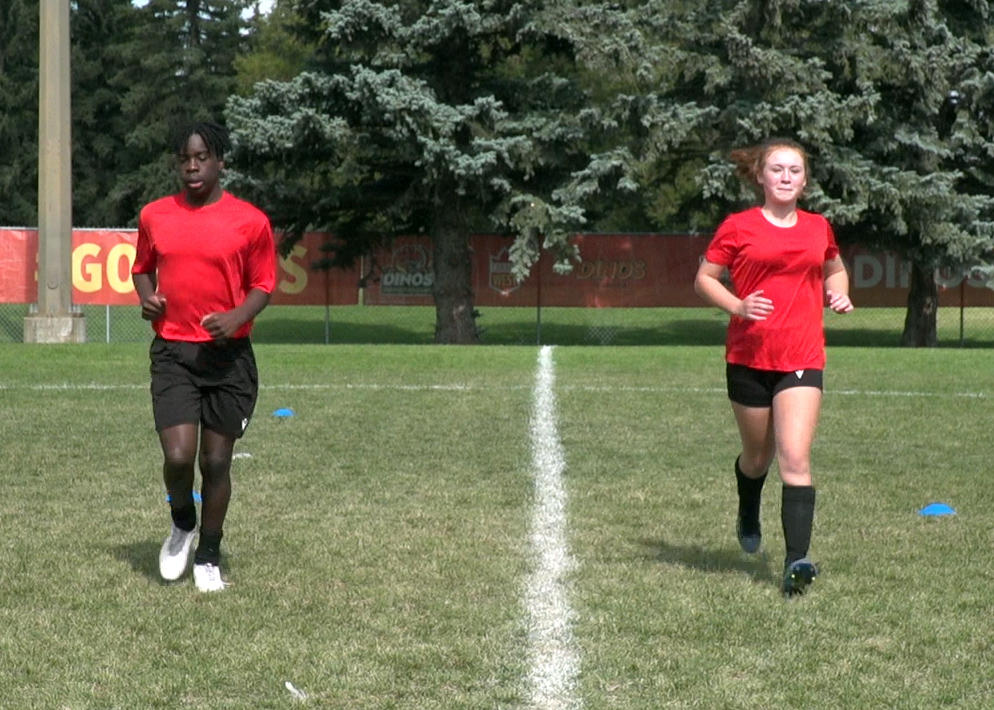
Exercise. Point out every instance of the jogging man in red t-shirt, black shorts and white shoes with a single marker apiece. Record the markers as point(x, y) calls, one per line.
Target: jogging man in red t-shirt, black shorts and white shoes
point(204, 269)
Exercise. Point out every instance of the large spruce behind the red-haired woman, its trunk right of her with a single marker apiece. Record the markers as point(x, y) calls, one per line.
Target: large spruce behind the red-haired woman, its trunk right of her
point(889, 97)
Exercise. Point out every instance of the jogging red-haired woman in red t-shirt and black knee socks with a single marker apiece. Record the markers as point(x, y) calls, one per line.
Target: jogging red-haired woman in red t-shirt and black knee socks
point(785, 269)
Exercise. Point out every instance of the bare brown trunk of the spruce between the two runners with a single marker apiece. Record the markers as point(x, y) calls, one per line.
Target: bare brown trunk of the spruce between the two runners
point(455, 316)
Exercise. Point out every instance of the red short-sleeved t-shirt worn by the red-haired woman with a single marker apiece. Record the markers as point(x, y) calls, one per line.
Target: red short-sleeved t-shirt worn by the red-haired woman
point(787, 263)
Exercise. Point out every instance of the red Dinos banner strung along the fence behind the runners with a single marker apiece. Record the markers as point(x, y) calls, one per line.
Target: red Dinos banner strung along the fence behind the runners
point(616, 270)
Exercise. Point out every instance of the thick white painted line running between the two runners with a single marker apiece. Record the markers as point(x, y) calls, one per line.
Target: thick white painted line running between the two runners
point(554, 660)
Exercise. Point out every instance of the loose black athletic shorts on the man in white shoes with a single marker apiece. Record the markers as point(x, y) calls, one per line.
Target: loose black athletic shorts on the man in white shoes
point(212, 384)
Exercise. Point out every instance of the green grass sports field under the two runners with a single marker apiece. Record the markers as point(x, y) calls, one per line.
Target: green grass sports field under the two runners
point(380, 541)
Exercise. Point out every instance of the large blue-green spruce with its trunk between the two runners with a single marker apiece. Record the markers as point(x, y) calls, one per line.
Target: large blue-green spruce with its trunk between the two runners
point(438, 118)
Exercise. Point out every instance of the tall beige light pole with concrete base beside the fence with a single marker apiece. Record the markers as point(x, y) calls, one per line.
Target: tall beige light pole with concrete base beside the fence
point(54, 321)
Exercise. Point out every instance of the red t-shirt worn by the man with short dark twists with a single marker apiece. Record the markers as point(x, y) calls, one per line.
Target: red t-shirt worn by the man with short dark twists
point(206, 258)
